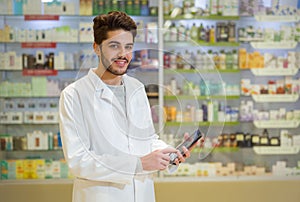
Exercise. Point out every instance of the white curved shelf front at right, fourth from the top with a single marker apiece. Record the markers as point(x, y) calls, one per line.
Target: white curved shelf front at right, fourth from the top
point(275, 98)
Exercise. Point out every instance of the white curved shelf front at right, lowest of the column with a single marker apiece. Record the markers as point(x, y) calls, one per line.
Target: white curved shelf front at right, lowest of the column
point(274, 150)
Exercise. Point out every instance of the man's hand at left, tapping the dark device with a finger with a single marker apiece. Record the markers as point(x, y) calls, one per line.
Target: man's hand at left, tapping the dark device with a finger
point(159, 159)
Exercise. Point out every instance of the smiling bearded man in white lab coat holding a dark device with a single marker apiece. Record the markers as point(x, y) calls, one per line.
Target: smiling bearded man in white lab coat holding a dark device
point(107, 132)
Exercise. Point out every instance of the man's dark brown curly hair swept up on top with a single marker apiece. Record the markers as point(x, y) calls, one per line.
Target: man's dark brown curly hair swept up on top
point(114, 20)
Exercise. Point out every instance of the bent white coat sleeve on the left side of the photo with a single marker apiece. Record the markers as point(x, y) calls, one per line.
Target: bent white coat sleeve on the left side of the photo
point(82, 161)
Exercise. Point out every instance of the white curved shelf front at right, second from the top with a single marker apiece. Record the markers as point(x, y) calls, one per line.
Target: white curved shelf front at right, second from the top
point(274, 45)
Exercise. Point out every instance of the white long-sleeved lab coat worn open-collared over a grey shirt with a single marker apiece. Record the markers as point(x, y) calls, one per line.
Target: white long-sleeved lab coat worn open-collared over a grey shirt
point(102, 144)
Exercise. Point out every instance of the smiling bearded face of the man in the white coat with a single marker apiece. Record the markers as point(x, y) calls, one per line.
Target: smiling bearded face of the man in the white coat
point(116, 52)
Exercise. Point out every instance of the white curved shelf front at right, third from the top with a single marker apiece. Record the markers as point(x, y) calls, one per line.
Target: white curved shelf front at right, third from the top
point(274, 71)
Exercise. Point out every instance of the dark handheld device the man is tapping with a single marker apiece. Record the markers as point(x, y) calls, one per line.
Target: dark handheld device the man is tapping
point(188, 143)
